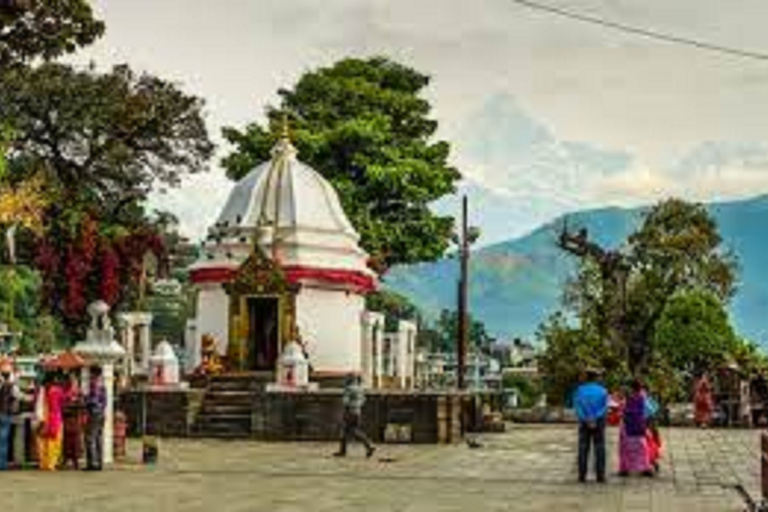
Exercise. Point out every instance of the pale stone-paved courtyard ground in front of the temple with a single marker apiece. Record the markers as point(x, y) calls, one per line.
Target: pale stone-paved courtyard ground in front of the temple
point(529, 468)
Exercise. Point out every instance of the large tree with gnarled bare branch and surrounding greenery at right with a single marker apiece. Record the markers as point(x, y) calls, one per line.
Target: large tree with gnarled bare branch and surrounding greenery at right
point(642, 297)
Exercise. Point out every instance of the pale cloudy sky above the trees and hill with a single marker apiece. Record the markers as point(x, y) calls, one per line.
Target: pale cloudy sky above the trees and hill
point(545, 115)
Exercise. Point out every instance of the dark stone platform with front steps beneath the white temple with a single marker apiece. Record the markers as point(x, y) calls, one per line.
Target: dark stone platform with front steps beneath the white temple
point(241, 407)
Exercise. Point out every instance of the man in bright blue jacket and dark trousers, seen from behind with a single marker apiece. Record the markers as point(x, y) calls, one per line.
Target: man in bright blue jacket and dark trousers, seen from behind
point(591, 404)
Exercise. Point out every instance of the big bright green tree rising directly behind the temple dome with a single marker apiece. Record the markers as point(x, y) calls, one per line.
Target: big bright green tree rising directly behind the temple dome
point(365, 127)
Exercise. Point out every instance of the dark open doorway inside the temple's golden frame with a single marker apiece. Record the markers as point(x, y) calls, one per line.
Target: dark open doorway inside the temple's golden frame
point(263, 333)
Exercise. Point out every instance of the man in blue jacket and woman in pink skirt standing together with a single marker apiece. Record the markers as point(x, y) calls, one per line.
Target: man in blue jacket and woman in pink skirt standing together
point(635, 413)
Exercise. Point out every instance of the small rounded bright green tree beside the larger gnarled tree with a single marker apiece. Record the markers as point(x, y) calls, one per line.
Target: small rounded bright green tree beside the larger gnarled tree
point(694, 332)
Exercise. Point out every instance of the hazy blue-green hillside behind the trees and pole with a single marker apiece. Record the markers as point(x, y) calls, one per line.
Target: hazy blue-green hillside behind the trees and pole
point(515, 285)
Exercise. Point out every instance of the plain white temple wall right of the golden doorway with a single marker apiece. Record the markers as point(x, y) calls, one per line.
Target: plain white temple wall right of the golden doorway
point(329, 321)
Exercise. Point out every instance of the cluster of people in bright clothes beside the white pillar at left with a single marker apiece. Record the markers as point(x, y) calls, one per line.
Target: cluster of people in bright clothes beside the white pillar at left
point(63, 419)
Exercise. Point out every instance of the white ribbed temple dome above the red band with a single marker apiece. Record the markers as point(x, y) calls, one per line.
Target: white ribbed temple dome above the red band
point(295, 215)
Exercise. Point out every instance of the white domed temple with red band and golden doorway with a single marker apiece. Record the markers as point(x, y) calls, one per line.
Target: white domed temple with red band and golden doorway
point(306, 283)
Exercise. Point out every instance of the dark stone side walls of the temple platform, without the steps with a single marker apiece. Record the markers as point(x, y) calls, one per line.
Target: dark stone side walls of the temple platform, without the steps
point(310, 416)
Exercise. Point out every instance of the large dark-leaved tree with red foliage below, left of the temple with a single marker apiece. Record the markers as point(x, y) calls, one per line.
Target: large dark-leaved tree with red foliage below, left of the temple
point(101, 141)
